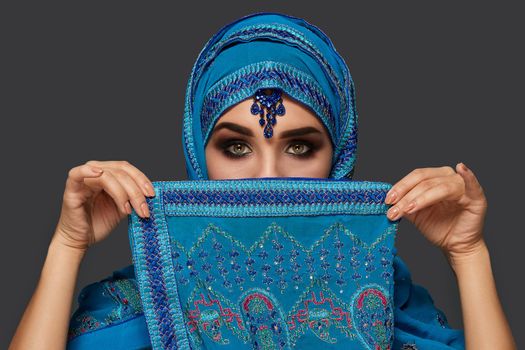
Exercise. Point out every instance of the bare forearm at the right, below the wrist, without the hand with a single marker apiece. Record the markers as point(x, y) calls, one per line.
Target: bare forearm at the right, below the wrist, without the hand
point(484, 321)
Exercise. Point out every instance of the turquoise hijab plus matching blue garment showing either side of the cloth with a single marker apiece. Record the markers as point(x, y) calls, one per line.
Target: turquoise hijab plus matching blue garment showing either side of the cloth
point(262, 50)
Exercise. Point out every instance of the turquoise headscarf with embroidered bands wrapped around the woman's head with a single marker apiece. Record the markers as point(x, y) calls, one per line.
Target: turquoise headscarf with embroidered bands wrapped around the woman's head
point(270, 50)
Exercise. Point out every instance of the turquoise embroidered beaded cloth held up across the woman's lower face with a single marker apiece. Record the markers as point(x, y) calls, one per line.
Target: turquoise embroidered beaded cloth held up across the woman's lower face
point(271, 263)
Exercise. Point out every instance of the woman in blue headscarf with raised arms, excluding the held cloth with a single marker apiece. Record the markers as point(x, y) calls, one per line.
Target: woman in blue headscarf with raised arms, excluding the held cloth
point(262, 86)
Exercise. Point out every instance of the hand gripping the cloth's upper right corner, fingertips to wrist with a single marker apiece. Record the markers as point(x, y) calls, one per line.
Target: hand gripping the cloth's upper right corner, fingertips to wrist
point(448, 207)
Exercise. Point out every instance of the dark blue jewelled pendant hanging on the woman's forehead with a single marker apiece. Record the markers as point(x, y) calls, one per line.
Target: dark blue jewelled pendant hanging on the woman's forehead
point(270, 100)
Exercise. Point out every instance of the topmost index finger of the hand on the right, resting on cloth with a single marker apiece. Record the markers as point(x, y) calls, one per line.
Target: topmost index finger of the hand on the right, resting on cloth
point(403, 186)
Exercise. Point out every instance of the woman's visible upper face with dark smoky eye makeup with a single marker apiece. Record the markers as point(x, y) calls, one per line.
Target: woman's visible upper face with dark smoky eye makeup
point(300, 145)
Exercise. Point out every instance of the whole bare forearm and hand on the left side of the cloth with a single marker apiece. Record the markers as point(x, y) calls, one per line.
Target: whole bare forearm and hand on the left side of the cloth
point(97, 196)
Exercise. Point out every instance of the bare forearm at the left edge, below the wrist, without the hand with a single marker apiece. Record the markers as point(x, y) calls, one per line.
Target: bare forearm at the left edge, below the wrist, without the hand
point(45, 321)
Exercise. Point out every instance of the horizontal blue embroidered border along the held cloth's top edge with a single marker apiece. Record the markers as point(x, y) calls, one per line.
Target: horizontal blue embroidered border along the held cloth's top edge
point(273, 196)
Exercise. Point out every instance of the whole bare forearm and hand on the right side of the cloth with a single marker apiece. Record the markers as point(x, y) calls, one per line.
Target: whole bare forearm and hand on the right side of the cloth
point(449, 206)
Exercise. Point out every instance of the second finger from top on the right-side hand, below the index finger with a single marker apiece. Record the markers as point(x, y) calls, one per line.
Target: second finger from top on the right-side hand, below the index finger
point(428, 193)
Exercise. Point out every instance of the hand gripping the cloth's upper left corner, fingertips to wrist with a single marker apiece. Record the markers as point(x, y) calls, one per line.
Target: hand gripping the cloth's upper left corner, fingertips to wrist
point(95, 202)
